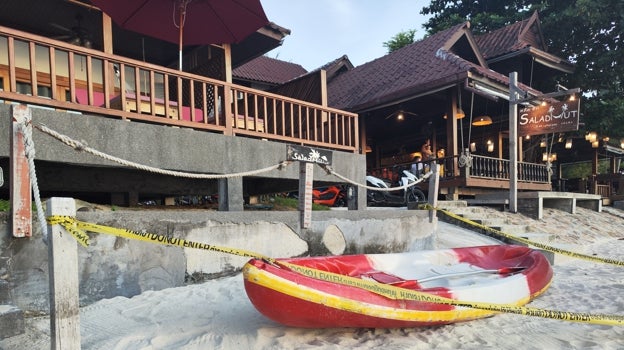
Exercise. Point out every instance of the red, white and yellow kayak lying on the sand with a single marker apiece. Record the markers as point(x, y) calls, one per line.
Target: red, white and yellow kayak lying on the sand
point(365, 290)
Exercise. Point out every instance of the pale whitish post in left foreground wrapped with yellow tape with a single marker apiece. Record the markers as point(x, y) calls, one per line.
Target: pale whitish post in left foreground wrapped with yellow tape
point(63, 279)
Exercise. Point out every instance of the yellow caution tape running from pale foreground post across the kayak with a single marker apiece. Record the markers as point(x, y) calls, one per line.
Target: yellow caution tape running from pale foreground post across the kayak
point(77, 228)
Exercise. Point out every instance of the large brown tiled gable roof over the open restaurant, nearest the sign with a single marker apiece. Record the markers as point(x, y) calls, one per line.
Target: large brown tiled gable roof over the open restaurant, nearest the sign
point(432, 64)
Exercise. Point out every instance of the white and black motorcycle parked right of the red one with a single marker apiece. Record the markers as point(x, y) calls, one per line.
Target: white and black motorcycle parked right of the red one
point(411, 195)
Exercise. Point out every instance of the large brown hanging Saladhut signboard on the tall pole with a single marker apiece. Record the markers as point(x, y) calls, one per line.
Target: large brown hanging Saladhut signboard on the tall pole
point(550, 117)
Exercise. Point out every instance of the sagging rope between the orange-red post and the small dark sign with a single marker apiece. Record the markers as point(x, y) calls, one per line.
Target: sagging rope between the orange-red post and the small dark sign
point(82, 146)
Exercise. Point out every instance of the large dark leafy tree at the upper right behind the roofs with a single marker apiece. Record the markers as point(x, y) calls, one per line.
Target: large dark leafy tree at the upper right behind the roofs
point(587, 32)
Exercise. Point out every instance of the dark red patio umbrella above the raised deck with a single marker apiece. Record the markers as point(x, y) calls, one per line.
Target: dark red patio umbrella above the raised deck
point(188, 22)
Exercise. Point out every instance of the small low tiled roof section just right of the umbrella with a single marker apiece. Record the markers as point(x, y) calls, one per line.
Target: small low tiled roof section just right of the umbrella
point(268, 70)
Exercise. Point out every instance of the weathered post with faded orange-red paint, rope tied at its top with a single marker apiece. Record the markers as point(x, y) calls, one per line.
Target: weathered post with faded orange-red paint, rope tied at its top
point(21, 200)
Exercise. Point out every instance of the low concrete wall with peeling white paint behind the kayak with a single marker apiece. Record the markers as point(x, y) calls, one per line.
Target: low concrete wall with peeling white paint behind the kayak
point(114, 266)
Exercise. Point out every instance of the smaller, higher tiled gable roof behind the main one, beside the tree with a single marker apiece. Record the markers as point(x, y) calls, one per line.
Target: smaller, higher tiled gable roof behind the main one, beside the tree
point(511, 38)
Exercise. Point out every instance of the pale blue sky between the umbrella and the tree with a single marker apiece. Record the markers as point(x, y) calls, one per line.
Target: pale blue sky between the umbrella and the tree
point(324, 30)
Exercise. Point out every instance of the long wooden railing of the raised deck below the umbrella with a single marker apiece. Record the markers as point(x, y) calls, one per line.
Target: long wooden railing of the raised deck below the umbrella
point(39, 71)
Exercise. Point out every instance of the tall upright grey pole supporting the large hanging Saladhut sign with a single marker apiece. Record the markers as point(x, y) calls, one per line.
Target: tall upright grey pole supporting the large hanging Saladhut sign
point(513, 142)
